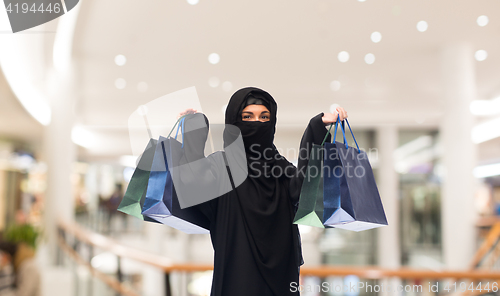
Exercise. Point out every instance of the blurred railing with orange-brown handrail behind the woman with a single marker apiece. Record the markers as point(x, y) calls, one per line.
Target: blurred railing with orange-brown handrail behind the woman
point(70, 236)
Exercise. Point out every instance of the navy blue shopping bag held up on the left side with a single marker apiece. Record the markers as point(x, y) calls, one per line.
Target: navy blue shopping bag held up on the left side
point(161, 199)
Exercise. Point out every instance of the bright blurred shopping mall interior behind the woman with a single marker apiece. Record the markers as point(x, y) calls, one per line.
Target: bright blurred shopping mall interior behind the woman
point(420, 82)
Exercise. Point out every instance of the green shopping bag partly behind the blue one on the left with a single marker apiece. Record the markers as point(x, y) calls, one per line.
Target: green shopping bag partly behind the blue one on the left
point(135, 195)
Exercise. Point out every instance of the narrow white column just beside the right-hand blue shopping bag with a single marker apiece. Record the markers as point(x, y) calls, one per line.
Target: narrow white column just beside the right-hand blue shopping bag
point(389, 253)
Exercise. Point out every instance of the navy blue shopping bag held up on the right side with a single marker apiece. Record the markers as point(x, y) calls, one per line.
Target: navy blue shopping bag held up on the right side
point(351, 197)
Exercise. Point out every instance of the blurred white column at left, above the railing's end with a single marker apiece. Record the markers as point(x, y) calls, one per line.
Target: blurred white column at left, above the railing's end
point(60, 154)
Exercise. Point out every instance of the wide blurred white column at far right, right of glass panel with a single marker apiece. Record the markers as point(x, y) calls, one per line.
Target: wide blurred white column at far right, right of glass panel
point(459, 156)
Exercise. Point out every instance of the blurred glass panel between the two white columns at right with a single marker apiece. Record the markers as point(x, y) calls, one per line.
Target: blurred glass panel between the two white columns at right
point(417, 161)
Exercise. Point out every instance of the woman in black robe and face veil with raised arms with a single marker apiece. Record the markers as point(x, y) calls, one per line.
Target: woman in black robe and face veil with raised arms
point(257, 246)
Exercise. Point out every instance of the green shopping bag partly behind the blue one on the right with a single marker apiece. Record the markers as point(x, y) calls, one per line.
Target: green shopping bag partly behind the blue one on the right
point(310, 210)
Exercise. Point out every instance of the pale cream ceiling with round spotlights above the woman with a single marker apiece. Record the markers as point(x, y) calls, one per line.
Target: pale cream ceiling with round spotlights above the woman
point(288, 48)
